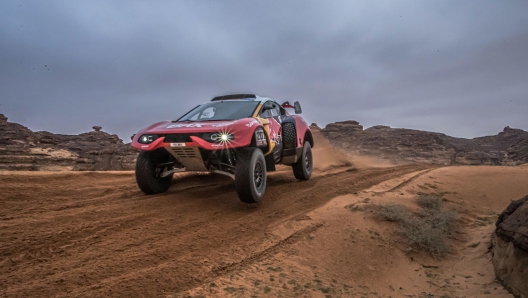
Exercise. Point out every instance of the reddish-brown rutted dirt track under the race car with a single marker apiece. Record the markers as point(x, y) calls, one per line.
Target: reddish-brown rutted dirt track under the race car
point(93, 234)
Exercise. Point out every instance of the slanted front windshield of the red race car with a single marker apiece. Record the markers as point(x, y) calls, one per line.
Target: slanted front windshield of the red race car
point(221, 110)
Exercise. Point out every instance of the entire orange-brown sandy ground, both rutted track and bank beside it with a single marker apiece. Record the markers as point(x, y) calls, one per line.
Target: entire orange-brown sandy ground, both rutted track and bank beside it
point(86, 234)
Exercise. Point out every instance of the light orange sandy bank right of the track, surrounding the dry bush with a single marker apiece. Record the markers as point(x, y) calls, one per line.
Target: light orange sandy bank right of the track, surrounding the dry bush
point(342, 249)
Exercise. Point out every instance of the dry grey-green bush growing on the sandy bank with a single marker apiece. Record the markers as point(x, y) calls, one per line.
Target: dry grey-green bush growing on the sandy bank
point(428, 228)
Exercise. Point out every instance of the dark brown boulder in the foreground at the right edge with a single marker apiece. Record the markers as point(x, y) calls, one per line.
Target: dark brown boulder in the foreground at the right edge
point(510, 248)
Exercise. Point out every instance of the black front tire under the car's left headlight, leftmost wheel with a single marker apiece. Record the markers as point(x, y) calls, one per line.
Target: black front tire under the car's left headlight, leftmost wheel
point(147, 172)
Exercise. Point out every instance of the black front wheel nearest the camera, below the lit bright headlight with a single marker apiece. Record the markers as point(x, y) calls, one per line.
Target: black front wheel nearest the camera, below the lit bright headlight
point(250, 175)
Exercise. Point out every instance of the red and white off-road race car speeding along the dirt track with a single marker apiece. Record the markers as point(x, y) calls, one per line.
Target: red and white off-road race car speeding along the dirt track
point(242, 136)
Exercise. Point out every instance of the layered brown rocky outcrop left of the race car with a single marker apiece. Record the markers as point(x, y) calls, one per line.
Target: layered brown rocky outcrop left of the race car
point(23, 149)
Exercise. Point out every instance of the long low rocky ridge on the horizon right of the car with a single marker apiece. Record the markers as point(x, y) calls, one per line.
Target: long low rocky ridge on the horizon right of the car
point(401, 146)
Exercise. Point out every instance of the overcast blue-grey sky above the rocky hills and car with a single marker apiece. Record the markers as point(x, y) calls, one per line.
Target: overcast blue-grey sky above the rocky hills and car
point(455, 67)
